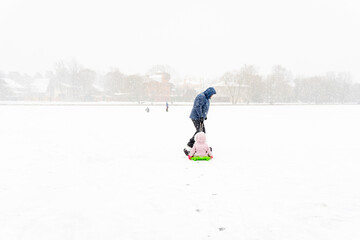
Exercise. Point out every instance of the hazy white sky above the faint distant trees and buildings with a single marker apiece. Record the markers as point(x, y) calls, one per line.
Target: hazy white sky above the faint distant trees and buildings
point(196, 37)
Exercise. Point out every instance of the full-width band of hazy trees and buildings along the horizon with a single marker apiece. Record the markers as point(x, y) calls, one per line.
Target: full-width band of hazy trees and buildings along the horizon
point(72, 82)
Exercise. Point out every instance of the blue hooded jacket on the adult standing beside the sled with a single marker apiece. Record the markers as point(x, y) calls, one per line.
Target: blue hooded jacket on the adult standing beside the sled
point(202, 104)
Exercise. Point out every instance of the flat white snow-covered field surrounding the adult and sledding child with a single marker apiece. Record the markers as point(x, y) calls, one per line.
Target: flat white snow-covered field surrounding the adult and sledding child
point(117, 172)
